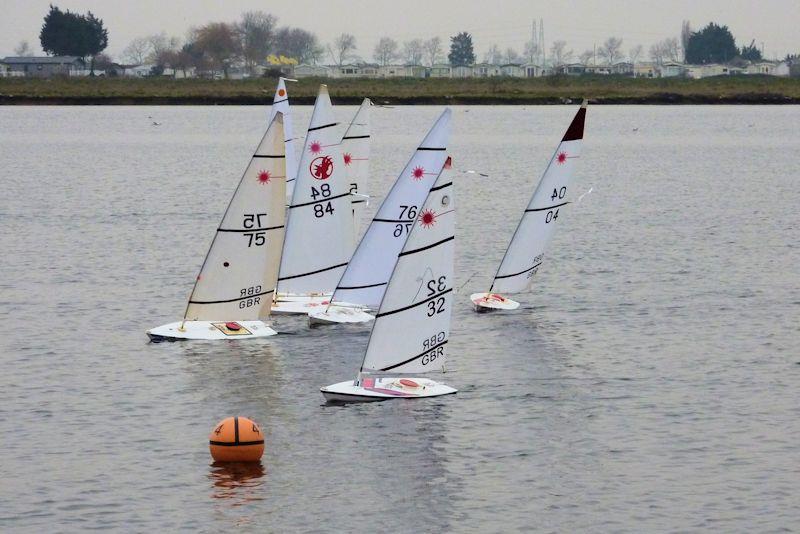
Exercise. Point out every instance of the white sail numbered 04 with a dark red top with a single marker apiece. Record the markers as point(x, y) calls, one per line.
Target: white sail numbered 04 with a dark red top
point(526, 251)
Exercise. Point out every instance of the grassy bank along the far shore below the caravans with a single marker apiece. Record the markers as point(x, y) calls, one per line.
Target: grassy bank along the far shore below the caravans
point(550, 90)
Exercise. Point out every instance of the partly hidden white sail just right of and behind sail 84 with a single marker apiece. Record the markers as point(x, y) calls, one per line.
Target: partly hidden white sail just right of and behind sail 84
point(355, 151)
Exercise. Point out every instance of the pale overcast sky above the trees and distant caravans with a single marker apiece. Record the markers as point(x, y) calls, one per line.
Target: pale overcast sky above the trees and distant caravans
point(507, 23)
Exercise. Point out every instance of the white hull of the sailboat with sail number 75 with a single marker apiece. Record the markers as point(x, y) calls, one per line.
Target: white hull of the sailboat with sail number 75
point(210, 330)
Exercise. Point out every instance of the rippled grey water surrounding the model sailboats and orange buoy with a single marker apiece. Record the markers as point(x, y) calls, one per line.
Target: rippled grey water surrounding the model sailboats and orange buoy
point(649, 382)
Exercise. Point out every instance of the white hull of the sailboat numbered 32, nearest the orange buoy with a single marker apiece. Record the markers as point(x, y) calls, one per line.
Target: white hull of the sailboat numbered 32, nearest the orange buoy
point(385, 388)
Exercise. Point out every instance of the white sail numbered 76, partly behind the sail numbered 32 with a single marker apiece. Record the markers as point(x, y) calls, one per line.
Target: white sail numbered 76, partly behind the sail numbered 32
point(367, 274)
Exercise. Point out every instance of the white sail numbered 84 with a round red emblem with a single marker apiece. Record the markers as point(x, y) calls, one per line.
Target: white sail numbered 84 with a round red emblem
point(319, 228)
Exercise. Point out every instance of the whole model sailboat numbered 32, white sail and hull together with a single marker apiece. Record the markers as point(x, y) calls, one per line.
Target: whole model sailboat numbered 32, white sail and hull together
point(412, 326)
